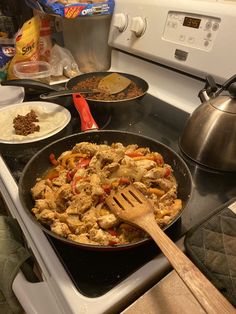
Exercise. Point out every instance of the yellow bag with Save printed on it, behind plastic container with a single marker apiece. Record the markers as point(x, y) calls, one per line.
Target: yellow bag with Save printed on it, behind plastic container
point(26, 44)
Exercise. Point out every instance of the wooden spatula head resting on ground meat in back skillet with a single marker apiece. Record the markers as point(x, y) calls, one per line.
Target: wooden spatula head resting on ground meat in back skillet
point(113, 83)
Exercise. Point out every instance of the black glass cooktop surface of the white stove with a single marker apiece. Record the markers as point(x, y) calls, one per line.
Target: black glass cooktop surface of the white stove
point(93, 272)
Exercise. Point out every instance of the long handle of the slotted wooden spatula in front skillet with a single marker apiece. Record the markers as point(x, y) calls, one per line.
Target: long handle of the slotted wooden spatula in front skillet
point(211, 300)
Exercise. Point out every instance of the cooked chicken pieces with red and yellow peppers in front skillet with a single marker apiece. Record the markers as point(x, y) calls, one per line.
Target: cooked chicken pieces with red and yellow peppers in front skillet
point(70, 198)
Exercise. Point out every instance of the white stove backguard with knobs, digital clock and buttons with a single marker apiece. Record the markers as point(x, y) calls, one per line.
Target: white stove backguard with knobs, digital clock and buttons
point(196, 37)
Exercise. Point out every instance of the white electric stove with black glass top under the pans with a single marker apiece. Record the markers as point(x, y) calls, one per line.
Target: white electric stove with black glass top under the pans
point(173, 45)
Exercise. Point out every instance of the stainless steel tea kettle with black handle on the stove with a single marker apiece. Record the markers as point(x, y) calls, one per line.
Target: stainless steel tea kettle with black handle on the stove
point(209, 136)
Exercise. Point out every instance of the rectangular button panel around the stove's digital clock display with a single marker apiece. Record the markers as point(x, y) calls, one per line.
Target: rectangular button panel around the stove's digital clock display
point(191, 30)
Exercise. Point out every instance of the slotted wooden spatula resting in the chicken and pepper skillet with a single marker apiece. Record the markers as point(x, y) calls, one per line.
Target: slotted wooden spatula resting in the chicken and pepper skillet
point(131, 206)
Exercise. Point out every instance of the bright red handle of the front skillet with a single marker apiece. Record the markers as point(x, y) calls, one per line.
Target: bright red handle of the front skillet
point(87, 121)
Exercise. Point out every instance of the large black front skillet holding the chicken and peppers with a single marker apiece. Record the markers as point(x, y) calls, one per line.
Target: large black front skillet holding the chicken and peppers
point(39, 164)
